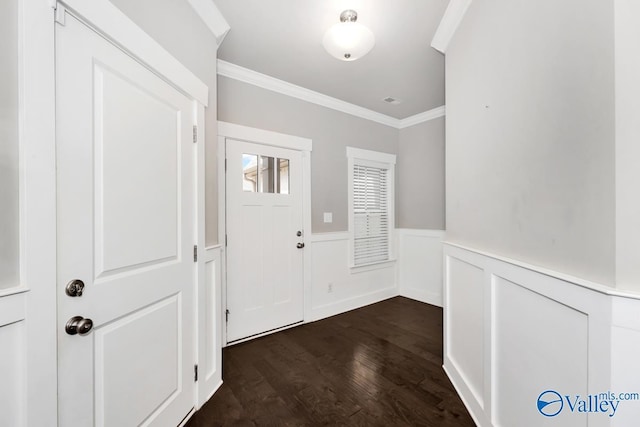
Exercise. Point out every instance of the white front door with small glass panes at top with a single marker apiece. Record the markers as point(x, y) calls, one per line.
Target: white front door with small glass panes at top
point(264, 238)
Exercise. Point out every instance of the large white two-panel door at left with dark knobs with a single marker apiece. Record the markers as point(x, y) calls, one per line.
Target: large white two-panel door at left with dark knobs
point(125, 210)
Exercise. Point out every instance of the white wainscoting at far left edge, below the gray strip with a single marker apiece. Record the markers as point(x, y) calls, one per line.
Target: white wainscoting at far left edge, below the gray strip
point(13, 373)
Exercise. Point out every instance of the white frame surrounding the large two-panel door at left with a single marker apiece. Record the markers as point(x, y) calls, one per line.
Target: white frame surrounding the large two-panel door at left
point(38, 172)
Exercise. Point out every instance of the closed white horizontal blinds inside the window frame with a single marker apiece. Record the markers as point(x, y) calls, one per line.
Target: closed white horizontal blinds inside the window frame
point(370, 214)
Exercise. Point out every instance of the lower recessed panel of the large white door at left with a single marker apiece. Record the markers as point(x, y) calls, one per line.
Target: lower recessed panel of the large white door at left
point(152, 339)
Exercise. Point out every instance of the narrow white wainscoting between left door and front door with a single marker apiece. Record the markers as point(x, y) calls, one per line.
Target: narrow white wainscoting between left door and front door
point(210, 323)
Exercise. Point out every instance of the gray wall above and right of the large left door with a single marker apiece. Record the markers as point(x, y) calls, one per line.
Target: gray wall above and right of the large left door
point(177, 27)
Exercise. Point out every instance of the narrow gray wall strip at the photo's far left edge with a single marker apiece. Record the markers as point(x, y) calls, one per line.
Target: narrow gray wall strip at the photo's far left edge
point(9, 221)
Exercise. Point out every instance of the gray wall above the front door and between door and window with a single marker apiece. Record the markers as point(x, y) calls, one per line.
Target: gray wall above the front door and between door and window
point(330, 130)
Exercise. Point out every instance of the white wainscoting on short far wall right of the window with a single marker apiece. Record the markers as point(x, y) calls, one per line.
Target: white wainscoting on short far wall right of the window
point(420, 265)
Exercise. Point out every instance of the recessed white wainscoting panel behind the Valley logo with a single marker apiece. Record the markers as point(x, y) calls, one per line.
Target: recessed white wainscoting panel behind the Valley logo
point(540, 345)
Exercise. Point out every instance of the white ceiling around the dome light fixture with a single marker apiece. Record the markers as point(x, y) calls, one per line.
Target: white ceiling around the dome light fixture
point(283, 39)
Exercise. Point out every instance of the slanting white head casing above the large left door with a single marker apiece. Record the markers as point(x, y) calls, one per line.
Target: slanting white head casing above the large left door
point(111, 23)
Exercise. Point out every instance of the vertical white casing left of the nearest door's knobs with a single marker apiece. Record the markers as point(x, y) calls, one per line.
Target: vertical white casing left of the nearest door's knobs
point(38, 207)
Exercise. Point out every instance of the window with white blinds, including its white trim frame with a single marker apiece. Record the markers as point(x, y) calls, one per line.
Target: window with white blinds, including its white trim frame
point(371, 206)
